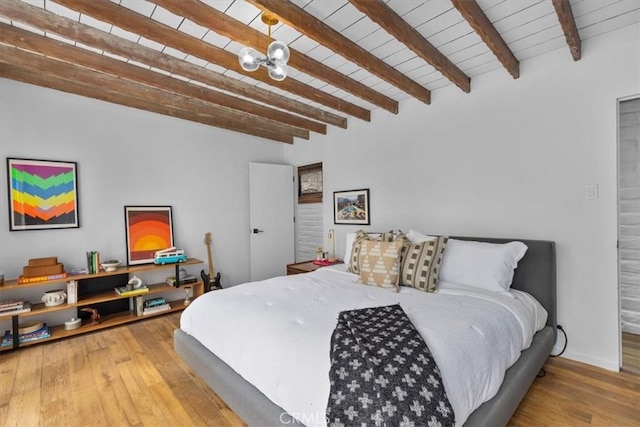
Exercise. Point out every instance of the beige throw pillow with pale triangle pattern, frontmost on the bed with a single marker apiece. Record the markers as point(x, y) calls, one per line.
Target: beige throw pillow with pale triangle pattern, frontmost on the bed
point(380, 263)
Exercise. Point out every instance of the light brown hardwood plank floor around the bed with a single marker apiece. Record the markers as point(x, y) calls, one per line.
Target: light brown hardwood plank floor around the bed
point(130, 376)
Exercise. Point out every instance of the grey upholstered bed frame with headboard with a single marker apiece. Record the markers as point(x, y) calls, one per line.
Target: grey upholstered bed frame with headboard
point(536, 274)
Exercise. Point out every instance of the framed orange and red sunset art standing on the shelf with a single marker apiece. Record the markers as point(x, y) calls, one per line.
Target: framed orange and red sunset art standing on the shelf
point(149, 229)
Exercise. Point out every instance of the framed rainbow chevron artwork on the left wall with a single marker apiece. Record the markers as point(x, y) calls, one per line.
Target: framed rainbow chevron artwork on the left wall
point(43, 194)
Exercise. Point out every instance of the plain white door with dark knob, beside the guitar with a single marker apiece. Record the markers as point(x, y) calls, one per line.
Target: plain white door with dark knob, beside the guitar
point(271, 219)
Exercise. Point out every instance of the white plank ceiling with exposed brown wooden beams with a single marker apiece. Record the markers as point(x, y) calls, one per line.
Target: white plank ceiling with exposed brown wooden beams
point(348, 57)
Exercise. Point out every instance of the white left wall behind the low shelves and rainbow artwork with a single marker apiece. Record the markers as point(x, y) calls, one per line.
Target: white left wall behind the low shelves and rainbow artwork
point(130, 157)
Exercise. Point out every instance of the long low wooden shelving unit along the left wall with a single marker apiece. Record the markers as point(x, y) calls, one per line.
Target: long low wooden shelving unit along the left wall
point(93, 299)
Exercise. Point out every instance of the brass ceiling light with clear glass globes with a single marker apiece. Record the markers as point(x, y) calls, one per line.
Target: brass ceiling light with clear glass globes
point(277, 55)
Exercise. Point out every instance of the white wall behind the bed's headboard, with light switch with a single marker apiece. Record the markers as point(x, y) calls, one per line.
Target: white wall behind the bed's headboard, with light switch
point(510, 159)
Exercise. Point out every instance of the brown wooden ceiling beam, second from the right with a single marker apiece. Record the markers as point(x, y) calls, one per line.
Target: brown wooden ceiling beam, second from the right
point(488, 33)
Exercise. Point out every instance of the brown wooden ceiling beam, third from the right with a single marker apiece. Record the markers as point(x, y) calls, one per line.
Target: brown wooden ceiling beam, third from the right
point(393, 24)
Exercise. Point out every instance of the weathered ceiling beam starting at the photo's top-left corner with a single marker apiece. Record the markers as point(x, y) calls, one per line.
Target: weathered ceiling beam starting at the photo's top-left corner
point(47, 21)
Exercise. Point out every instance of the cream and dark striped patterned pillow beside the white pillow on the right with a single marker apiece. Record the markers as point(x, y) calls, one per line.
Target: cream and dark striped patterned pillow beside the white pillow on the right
point(421, 262)
